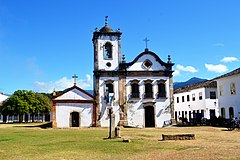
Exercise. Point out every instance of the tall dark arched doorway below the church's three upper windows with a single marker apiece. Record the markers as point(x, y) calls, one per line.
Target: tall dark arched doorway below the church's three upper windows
point(149, 116)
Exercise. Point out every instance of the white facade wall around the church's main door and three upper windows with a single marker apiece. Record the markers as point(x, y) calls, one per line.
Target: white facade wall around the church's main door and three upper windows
point(135, 112)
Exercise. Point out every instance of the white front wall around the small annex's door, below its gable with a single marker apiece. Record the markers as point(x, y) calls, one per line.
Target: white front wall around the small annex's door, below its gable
point(63, 111)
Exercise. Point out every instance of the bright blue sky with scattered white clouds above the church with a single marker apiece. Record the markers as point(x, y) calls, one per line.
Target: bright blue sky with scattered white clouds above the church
point(44, 42)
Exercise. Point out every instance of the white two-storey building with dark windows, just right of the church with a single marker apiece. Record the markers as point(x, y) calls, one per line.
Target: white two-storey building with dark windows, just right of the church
point(196, 101)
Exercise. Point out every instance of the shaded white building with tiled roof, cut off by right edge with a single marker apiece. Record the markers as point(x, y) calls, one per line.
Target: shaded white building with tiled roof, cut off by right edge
point(229, 94)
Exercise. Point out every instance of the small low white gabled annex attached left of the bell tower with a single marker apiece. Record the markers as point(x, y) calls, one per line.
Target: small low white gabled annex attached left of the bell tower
point(73, 107)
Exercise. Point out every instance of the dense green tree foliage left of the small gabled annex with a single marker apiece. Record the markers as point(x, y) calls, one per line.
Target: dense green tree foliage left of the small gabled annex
point(23, 101)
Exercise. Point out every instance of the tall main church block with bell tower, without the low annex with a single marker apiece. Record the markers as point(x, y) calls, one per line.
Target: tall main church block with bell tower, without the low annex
point(142, 89)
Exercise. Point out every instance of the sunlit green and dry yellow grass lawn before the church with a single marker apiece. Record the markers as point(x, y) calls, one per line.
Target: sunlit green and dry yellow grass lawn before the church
point(27, 141)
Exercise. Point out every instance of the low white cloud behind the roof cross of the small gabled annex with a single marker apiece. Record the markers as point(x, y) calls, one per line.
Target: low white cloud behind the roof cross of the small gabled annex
point(62, 84)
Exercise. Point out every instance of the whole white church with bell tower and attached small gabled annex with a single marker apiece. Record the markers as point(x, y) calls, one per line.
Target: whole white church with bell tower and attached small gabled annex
point(139, 93)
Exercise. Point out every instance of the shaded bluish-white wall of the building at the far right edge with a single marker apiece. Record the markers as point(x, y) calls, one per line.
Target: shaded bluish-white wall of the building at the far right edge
point(228, 100)
